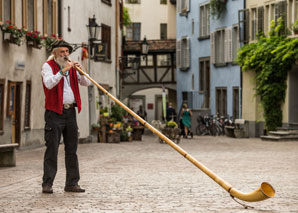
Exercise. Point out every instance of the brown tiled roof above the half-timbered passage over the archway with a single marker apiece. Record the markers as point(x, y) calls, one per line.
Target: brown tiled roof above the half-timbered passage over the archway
point(154, 46)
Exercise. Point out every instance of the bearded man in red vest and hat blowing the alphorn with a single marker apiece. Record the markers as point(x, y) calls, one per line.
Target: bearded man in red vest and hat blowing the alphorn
point(61, 88)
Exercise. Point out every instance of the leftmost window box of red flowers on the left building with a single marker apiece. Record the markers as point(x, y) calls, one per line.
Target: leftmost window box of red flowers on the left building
point(11, 33)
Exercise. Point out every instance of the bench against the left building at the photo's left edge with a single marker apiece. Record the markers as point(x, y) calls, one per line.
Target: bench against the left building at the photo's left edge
point(7, 154)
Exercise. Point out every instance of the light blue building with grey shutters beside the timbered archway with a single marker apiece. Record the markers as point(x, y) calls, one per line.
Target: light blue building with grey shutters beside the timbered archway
point(208, 78)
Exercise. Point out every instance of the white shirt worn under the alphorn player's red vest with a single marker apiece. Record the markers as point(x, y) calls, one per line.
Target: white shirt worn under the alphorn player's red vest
point(50, 80)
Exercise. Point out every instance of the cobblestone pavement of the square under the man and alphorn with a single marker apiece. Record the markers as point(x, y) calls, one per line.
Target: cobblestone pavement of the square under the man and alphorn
point(147, 176)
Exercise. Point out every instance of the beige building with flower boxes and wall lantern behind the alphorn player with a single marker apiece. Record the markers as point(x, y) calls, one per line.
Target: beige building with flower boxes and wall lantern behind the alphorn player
point(21, 91)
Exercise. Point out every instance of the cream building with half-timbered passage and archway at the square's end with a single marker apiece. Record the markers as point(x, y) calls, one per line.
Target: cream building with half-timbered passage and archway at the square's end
point(155, 21)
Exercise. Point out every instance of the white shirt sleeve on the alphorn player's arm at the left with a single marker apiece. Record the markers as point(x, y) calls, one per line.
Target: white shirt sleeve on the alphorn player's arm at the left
point(49, 79)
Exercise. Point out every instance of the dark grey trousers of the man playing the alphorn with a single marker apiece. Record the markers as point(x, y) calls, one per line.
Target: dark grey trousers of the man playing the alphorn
point(57, 125)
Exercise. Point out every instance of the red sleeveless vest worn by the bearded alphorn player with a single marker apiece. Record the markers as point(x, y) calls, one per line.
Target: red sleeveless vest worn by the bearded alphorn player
point(54, 96)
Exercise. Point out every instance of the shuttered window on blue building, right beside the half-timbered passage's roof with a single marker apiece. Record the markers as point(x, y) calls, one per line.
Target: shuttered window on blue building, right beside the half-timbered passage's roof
point(183, 53)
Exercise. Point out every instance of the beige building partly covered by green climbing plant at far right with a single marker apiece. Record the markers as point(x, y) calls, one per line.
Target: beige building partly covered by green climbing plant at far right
point(261, 13)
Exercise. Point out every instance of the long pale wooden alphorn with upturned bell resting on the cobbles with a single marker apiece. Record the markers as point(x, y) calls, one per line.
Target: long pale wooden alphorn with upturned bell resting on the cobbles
point(263, 192)
